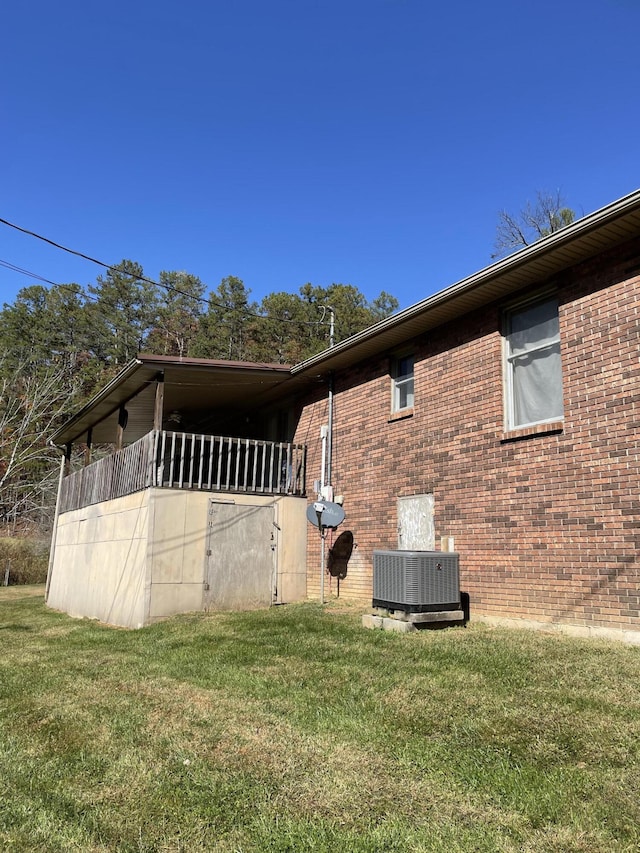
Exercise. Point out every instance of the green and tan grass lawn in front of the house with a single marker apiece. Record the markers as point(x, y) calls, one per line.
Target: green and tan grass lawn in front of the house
point(294, 729)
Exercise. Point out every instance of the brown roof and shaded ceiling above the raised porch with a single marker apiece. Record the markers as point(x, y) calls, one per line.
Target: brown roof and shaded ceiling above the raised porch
point(197, 392)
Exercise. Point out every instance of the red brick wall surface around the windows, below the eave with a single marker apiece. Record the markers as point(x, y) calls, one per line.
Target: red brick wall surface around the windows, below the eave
point(546, 525)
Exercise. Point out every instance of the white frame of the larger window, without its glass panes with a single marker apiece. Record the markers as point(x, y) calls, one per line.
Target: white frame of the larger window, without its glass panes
point(510, 359)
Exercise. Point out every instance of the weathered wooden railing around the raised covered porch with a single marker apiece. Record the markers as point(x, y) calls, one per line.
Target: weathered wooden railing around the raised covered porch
point(177, 460)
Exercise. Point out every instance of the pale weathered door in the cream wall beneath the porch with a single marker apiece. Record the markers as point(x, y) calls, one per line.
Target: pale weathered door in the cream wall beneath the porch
point(241, 543)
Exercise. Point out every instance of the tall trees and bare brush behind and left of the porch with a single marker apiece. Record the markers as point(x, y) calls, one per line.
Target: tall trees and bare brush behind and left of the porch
point(60, 344)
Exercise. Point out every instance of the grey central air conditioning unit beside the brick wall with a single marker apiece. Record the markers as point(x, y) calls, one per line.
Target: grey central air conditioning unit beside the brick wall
point(416, 581)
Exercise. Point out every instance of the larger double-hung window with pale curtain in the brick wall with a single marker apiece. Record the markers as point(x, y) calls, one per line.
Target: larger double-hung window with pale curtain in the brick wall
point(533, 368)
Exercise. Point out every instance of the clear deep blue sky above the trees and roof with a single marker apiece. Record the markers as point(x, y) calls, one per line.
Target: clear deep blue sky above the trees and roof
point(369, 142)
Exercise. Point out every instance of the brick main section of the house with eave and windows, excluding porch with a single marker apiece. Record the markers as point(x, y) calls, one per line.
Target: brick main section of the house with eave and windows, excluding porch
point(508, 407)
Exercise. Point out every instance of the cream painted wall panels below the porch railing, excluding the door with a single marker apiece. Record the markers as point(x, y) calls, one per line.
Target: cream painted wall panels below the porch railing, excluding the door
point(133, 560)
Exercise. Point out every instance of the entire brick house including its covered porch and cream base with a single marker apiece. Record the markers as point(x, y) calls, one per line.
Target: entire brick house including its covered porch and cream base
point(498, 417)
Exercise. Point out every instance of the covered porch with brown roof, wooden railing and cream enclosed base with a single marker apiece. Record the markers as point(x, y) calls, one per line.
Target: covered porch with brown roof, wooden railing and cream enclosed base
point(188, 493)
